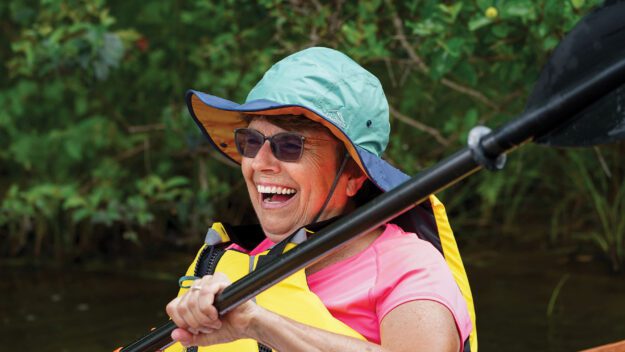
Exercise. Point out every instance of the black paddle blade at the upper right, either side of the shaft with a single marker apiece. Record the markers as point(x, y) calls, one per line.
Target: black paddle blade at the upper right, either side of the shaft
point(597, 41)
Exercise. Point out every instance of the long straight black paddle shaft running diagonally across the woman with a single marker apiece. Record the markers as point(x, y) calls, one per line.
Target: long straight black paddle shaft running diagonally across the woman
point(536, 122)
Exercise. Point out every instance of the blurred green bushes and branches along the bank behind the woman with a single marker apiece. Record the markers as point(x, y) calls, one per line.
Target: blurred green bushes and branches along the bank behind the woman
point(99, 157)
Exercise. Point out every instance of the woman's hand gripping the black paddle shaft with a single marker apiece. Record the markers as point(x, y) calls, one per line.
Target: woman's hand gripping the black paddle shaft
point(197, 318)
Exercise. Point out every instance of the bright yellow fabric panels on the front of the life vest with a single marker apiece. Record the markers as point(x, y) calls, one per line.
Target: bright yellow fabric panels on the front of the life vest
point(300, 304)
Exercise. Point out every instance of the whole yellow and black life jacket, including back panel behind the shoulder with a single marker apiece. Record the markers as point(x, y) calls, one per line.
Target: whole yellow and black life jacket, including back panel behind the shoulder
point(428, 220)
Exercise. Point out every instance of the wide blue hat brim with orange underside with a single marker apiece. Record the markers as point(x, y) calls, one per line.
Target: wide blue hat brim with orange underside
point(217, 118)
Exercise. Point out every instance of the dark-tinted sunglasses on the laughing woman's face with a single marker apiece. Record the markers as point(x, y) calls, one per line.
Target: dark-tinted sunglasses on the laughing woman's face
point(285, 146)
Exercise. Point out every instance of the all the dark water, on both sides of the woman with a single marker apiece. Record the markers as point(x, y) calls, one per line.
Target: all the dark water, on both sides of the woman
point(101, 309)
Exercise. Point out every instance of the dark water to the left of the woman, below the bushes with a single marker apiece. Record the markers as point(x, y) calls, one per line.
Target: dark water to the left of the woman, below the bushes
point(77, 310)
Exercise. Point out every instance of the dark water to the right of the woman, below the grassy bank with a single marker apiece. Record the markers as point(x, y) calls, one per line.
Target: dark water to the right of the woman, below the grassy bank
point(512, 292)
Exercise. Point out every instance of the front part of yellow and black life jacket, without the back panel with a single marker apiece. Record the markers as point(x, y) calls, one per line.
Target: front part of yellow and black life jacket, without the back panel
point(302, 305)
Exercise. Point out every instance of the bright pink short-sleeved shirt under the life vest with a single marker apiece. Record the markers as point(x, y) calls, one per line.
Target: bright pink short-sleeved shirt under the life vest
point(396, 268)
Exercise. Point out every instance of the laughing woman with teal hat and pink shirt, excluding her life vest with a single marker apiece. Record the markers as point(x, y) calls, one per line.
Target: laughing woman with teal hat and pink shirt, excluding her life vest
point(309, 140)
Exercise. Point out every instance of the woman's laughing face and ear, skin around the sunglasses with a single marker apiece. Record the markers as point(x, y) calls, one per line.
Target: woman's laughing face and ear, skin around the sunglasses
point(288, 195)
